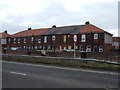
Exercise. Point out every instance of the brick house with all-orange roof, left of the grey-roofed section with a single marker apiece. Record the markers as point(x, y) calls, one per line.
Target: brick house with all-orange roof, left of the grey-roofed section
point(29, 39)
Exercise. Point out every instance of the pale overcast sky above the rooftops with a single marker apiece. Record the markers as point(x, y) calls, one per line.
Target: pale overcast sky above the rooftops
point(18, 15)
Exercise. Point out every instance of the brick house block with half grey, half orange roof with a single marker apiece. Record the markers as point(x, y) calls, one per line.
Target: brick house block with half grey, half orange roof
point(89, 38)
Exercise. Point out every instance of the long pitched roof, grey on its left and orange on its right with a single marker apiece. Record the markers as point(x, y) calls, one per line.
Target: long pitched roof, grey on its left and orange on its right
point(76, 29)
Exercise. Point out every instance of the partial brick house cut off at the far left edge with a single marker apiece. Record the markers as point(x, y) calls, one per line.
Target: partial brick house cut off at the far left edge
point(4, 39)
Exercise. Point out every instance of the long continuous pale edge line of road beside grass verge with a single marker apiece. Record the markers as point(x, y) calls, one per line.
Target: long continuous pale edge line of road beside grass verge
point(65, 68)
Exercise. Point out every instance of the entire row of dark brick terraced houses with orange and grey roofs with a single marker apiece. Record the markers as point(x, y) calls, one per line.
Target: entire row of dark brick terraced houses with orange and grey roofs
point(90, 38)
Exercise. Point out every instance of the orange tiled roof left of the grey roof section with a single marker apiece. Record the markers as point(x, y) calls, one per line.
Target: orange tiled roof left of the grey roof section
point(30, 32)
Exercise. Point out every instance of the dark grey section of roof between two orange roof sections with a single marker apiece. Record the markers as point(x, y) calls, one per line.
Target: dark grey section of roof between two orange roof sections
point(65, 30)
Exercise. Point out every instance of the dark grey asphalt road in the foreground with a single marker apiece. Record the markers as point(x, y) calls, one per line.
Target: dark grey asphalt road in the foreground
point(24, 75)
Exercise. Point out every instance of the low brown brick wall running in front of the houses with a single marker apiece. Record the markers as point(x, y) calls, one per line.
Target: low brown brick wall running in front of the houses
point(107, 56)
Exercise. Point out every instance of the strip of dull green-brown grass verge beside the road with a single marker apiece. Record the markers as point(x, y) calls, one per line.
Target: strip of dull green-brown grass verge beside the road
point(64, 63)
